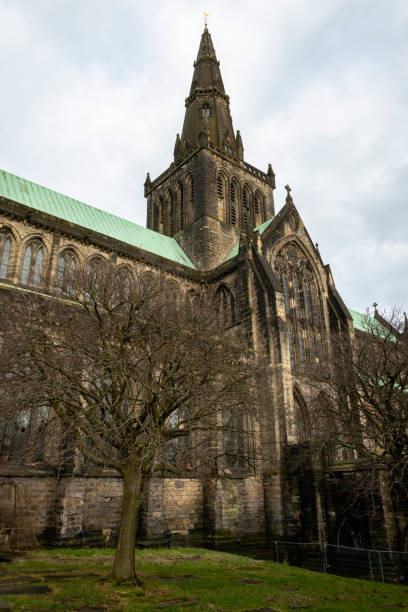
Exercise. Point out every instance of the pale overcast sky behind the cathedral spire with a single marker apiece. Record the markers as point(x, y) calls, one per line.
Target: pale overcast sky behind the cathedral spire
point(92, 95)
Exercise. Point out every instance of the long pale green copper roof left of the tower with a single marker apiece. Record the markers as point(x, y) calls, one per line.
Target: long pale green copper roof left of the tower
point(61, 206)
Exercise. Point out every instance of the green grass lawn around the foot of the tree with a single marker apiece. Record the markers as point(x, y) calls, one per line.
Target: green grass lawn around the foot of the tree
point(183, 579)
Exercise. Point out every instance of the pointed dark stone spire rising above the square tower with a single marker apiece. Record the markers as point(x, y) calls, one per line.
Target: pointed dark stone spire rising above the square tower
point(207, 121)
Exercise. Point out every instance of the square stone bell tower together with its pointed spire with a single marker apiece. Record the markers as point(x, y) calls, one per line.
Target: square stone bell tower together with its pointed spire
point(209, 195)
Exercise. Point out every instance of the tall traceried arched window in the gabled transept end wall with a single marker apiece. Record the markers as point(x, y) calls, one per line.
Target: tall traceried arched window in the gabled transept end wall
point(302, 308)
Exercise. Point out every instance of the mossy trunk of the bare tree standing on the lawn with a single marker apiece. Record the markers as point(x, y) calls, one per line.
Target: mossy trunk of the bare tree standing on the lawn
point(124, 566)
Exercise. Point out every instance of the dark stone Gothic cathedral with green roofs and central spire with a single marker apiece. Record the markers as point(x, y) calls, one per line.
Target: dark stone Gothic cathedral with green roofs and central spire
point(210, 218)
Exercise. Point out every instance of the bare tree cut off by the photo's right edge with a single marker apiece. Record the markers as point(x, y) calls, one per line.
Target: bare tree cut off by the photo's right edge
point(360, 410)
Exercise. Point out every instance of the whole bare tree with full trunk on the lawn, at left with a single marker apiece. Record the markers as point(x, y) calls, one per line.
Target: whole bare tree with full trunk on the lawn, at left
point(129, 367)
